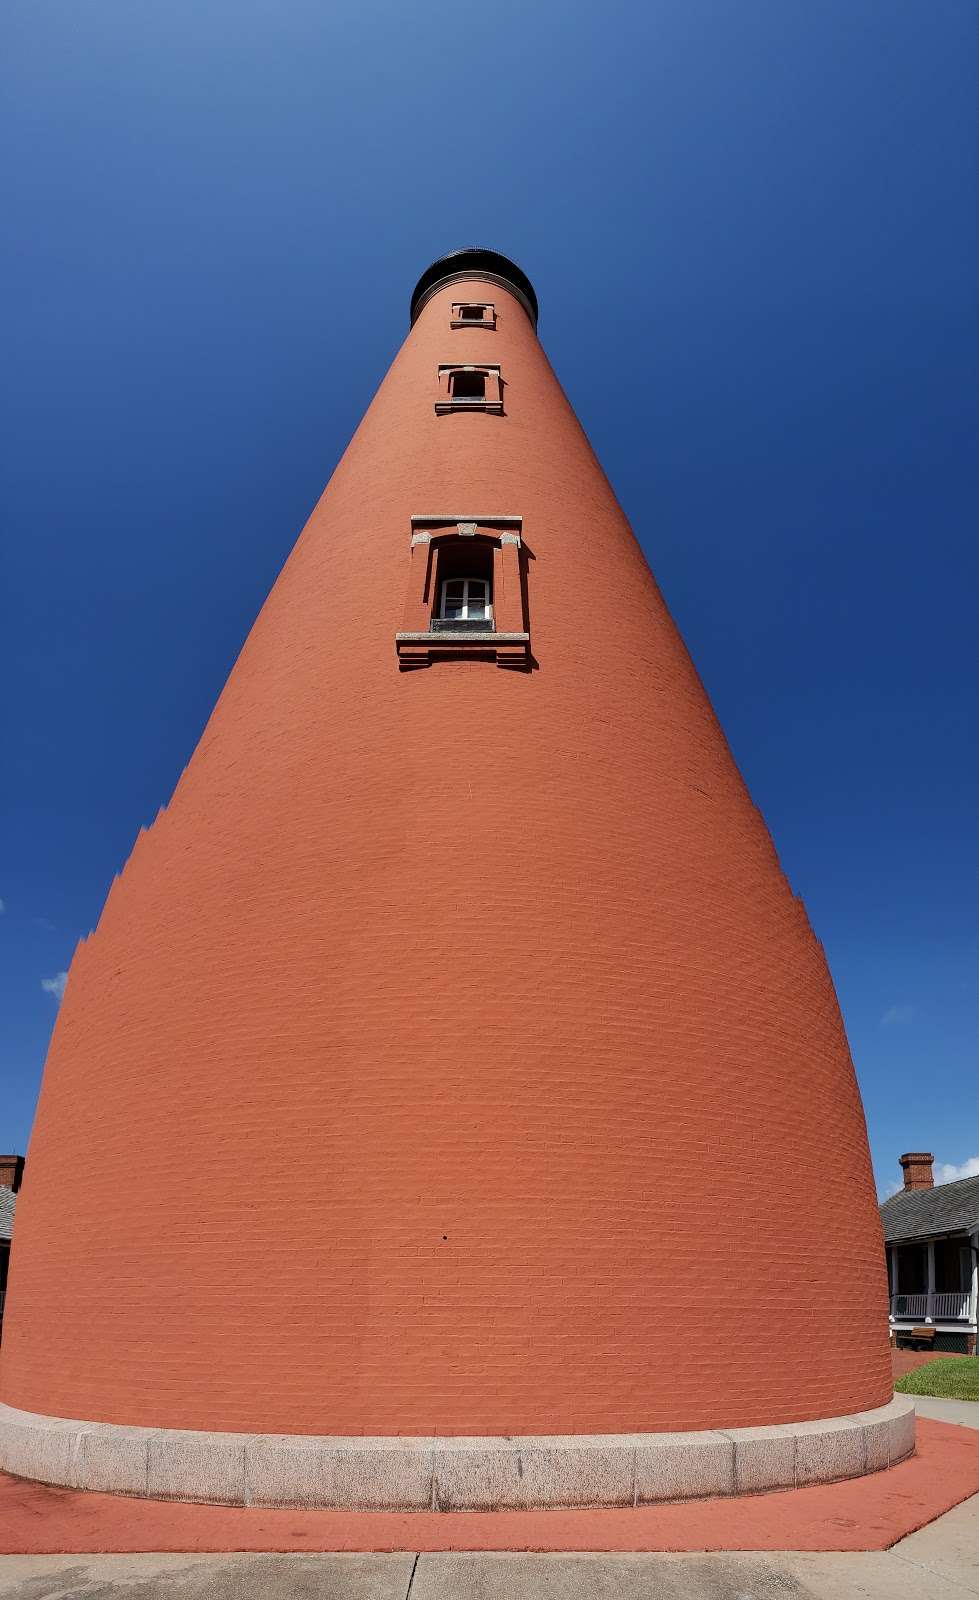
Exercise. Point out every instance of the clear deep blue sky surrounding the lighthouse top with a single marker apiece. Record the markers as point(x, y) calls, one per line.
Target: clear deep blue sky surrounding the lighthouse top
point(753, 228)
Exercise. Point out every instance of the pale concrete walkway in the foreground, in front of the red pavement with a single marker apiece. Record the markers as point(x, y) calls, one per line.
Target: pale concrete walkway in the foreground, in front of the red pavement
point(941, 1562)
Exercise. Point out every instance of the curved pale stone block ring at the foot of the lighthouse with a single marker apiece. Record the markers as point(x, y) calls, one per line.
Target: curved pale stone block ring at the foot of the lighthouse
point(452, 1474)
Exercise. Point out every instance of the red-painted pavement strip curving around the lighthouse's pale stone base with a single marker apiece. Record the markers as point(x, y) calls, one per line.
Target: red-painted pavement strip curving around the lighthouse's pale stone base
point(865, 1514)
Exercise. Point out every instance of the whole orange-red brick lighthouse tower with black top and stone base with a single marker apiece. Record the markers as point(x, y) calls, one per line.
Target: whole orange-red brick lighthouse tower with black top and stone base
point(452, 1106)
